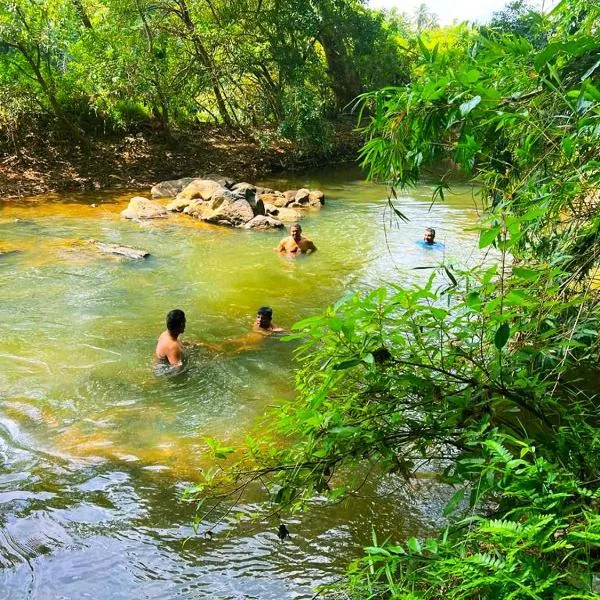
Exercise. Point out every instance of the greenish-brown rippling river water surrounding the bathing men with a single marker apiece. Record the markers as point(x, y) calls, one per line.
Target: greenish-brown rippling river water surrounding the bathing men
point(95, 449)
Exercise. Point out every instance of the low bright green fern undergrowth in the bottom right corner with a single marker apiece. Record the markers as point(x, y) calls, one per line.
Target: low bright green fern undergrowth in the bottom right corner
point(540, 547)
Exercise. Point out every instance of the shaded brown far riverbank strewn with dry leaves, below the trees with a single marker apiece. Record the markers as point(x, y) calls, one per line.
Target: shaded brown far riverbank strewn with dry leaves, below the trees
point(40, 164)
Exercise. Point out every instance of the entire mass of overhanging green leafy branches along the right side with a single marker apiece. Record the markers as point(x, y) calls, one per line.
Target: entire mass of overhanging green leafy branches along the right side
point(490, 372)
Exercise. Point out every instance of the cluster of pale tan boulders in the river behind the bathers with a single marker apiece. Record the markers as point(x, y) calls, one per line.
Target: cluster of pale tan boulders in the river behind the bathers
point(222, 201)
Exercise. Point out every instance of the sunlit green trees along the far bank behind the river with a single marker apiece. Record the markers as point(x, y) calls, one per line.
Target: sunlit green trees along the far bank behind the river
point(119, 65)
